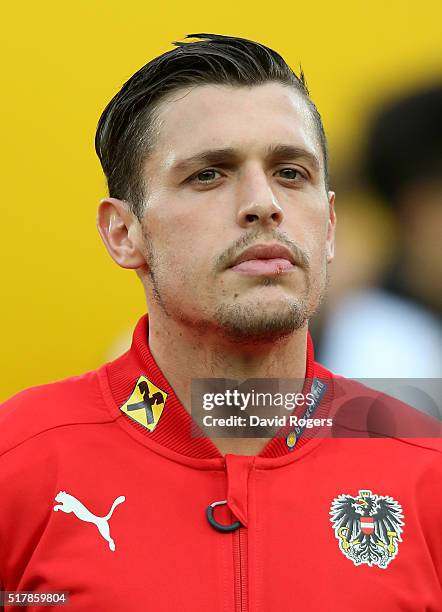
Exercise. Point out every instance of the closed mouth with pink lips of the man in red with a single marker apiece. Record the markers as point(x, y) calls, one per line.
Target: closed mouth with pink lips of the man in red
point(264, 259)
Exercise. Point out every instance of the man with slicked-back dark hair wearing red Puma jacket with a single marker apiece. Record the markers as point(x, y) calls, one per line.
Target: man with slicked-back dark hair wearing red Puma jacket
point(216, 164)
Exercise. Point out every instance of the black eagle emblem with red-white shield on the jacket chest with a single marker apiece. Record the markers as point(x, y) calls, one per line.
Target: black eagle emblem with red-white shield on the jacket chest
point(368, 527)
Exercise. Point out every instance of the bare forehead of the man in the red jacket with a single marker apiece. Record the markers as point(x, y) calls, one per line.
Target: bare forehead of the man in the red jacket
point(247, 119)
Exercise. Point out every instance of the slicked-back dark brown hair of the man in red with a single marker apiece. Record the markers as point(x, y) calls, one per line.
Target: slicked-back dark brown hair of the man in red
point(124, 135)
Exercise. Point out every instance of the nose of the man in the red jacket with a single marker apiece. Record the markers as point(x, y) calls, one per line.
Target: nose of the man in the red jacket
point(258, 204)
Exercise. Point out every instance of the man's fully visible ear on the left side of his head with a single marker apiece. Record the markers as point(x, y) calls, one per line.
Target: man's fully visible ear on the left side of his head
point(120, 231)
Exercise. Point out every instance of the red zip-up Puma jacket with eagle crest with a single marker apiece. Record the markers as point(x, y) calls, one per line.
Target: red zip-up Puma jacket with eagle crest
point(96, 504)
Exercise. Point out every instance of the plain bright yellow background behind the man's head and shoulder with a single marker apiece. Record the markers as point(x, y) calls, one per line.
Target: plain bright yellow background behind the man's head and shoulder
point(64, 302)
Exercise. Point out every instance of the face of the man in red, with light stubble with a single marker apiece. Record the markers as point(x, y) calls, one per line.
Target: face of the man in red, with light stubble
point(236, 168)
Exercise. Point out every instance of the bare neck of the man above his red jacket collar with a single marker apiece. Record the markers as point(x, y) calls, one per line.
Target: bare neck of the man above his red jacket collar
point(182, 354)
